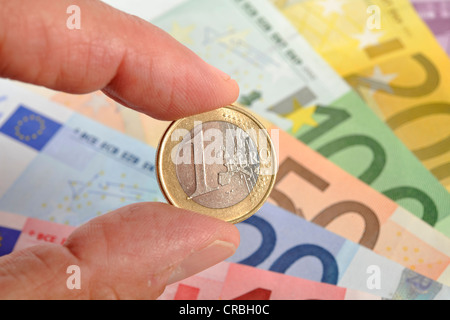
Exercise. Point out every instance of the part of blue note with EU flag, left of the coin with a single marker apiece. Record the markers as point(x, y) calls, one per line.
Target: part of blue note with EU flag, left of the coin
point(60, 166)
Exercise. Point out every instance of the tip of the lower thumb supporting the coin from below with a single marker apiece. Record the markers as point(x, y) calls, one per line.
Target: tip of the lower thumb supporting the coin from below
point(146, 246)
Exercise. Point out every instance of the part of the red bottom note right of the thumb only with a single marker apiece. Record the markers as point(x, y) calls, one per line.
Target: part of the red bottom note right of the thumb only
point(233, 281)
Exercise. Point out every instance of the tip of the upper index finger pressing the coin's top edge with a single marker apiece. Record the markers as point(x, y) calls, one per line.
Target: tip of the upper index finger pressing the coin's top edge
point(181, 86)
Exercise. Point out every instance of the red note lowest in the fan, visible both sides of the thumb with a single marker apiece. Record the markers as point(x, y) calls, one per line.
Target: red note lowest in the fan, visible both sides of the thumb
point(225, 281)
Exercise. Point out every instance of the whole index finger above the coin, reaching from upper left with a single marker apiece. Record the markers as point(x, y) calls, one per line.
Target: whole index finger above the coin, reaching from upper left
point(132, 61)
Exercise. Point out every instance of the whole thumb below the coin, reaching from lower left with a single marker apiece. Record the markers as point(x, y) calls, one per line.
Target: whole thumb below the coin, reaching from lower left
point(131, 253)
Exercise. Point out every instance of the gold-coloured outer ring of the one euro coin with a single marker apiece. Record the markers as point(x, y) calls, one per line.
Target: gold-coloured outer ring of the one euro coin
point(167, 174)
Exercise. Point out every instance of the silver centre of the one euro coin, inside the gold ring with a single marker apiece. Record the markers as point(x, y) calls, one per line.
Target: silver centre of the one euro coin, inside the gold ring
point(223, 166)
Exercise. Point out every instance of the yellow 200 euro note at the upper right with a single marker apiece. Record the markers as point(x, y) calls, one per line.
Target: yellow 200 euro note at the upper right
point(387, 54)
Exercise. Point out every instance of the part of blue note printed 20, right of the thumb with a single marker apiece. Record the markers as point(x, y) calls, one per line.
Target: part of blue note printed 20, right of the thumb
point(276, 240)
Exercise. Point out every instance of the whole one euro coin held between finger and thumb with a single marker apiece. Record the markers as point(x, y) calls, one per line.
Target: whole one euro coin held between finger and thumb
point(221, 163)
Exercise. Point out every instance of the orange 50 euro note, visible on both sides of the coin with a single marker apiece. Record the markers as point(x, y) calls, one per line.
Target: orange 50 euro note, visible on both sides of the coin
point(312, 187)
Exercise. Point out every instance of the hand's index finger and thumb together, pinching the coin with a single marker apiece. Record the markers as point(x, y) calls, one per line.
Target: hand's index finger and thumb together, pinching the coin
point(135, 251)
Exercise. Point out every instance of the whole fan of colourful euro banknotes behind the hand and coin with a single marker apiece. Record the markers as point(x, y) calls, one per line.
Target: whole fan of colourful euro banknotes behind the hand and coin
point(360, 93)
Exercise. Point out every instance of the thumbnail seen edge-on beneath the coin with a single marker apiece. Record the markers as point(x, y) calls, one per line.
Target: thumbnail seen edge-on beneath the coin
point(200, 260)
